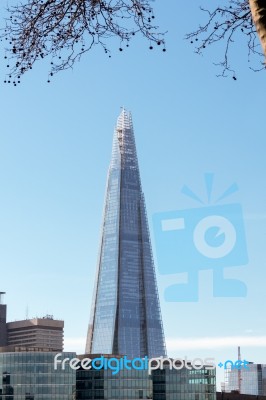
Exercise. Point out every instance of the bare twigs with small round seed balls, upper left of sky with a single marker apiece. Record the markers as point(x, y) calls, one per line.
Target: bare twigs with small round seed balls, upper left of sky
point(66, 29)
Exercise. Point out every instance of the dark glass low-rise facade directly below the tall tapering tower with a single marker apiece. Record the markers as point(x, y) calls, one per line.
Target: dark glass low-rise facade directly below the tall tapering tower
point(162, 384)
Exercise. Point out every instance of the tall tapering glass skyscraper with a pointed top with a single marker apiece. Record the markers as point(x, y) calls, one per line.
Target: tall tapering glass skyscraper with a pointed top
point(125, 316)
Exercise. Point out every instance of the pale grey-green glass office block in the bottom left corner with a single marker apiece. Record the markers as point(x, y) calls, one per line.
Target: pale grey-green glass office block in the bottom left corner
point(31, 376)
